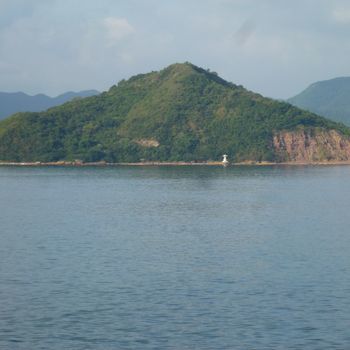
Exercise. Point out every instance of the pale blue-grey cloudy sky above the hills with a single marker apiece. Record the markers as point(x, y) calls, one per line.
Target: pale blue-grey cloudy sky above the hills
point(273, 47)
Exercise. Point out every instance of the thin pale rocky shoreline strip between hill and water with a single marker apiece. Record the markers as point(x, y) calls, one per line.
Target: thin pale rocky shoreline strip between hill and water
point(209, 163)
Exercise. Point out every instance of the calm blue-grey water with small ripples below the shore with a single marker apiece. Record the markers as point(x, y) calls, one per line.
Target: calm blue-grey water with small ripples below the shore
point(175, 258)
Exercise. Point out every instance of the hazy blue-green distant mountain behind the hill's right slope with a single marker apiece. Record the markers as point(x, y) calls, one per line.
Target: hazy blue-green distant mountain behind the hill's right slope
point(329, 98)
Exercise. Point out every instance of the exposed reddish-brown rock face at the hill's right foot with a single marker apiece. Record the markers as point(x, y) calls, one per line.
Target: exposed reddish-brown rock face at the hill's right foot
point(312, 146)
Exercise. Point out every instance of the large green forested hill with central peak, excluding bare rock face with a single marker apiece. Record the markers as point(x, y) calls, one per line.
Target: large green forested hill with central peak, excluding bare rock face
point(180, 113)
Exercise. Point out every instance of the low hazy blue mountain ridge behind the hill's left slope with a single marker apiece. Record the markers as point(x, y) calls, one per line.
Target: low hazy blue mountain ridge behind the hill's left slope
point(13, 102)
